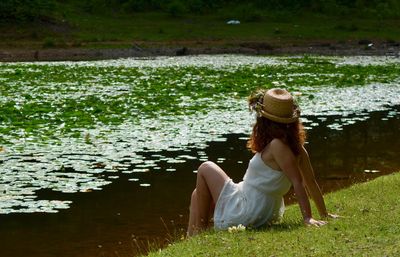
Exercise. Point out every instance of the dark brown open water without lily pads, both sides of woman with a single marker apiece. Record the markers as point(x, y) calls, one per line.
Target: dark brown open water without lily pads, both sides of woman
point(124, 218)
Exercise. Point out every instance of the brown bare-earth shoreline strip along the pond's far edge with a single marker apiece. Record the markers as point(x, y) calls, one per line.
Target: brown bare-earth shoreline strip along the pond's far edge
point(362, 48)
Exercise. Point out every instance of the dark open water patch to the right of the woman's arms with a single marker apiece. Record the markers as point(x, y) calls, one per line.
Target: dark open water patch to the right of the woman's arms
point(359, 151)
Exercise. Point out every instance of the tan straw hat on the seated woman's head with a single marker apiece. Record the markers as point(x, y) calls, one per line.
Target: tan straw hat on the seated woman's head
point(278, 106)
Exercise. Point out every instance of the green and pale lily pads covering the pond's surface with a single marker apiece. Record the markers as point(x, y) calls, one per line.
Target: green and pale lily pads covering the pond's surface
point(74, 126)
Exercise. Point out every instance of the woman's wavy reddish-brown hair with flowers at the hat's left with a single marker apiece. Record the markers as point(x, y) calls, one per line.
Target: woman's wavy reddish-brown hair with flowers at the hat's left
point(265, 130)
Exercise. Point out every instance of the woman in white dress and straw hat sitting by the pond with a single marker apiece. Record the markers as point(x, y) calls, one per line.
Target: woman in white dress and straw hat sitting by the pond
point(280, 161)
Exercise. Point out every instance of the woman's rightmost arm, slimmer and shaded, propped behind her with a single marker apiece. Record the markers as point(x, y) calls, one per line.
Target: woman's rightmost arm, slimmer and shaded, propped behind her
point(310, 182)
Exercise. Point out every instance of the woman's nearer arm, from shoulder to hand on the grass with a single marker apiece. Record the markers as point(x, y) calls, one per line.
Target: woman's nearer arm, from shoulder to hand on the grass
point(286, 160)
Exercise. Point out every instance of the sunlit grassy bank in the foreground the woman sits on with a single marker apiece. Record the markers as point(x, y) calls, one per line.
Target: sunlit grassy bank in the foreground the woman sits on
point(370, 227)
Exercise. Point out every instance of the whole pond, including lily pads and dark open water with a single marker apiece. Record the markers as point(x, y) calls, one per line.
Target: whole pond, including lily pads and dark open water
point(99, 158)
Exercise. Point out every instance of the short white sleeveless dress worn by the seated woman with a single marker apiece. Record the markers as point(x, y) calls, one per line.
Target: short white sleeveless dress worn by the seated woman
point(255, 201)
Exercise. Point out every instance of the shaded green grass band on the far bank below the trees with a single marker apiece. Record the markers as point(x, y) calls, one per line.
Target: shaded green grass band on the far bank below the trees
point(80, 29)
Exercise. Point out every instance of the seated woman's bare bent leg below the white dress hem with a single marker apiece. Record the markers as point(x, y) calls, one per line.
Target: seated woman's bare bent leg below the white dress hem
point(210, 181)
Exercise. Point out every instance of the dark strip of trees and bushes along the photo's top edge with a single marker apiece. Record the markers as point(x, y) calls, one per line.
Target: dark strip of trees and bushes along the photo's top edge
point(28, 10)
